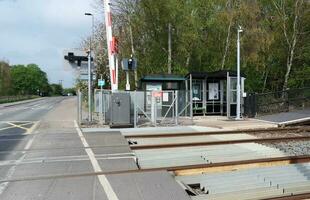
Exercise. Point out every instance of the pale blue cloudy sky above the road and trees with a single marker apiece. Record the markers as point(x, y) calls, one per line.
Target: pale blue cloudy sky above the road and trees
point(38, 31)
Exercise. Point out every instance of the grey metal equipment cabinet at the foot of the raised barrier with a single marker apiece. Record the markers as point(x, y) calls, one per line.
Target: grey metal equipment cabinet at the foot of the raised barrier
point(120, 110)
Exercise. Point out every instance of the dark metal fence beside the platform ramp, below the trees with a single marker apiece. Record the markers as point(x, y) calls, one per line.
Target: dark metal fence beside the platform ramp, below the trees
point(276, 102)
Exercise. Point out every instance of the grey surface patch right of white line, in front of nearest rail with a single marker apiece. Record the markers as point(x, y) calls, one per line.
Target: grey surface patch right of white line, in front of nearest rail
point(159, 185)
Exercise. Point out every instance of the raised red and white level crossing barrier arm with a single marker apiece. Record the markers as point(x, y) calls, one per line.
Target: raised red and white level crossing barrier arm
point(111, 46)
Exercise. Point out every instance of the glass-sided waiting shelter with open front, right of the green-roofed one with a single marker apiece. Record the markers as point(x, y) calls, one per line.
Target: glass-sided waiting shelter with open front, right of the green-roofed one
point(214, 93)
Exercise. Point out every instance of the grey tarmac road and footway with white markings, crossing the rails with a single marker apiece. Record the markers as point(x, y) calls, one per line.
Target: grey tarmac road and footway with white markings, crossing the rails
point(45, 155)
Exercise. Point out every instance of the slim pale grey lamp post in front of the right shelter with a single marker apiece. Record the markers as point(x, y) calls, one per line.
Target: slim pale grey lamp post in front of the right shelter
point(238, 114)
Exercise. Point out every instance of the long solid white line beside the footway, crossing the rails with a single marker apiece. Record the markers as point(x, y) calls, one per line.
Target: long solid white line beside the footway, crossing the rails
point(102, 178)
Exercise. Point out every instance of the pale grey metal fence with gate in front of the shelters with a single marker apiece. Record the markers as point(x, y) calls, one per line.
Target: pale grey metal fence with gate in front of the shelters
point(147, 108)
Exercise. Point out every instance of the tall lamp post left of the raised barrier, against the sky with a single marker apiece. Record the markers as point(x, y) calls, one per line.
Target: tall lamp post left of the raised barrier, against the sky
point(89, 71)
